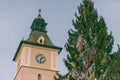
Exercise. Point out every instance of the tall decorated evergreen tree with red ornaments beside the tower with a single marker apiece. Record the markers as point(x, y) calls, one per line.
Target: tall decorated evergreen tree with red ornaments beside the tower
point(88, 43)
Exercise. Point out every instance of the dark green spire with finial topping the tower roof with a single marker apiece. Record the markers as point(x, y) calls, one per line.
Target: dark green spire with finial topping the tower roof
point(39, 24)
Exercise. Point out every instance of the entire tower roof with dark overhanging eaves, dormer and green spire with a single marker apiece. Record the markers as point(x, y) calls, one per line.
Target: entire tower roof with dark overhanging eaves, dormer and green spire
point(38, 36)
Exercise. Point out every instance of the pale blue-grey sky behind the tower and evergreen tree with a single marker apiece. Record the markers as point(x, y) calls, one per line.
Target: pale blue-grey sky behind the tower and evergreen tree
point(16, 17)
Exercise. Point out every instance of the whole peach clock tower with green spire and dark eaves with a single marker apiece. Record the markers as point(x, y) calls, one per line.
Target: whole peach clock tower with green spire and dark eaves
point(37, 57)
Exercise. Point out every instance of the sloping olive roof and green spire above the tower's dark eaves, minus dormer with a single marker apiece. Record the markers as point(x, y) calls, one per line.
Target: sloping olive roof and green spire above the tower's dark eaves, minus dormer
point(39, 29)
